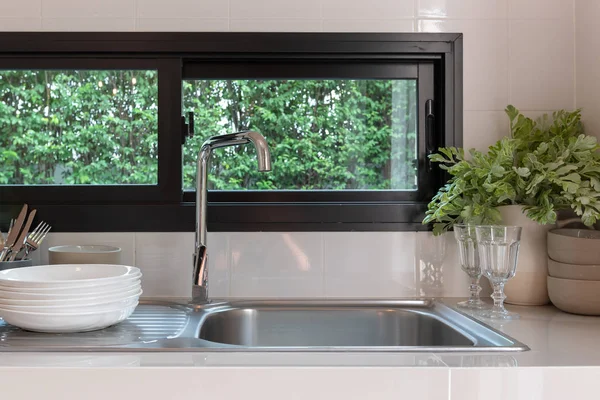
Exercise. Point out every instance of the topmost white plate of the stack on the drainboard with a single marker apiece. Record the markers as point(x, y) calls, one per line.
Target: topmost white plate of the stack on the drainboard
point(66, 275)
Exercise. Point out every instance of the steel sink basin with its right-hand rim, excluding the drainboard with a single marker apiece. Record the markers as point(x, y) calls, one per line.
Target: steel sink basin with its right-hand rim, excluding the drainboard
point(402, 325)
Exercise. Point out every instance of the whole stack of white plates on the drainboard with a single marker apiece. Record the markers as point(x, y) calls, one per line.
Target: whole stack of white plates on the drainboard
point(69, 297)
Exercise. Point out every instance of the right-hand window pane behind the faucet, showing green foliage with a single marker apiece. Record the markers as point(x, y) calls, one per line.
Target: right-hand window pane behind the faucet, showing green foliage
point(324, 134)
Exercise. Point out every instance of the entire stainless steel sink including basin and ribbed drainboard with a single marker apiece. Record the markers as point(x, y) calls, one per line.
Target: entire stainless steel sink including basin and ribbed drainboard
point(305, 326)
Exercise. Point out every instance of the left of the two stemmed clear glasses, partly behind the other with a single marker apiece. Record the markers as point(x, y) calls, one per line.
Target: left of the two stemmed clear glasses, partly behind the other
point(469, 262)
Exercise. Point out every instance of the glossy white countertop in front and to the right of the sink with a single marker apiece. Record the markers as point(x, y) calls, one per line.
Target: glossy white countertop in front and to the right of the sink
point(556, 339)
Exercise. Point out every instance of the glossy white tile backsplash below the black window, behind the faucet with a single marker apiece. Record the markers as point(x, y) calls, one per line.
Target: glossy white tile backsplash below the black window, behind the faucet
point(288, 264)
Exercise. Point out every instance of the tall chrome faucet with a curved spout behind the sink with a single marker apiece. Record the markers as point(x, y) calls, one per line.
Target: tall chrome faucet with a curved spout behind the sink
point(200, 288)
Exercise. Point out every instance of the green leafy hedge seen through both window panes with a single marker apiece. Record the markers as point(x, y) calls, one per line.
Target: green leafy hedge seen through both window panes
point(101, 127)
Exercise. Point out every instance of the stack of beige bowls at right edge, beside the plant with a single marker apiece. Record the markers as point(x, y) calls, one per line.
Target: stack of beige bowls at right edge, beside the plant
point(574, 270)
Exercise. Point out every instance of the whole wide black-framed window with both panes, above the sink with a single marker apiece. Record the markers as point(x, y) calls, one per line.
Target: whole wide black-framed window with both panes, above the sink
point(93, 133)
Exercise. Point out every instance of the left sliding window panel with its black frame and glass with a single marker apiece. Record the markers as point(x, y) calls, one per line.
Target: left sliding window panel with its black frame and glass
point(88, 130)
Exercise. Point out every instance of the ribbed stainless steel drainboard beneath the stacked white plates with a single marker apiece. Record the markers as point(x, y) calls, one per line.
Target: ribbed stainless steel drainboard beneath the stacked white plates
point(148, 323)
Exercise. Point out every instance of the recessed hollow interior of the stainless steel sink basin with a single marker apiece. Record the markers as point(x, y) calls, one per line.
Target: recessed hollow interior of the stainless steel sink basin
point(329, 327)
